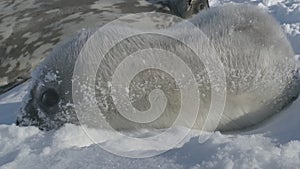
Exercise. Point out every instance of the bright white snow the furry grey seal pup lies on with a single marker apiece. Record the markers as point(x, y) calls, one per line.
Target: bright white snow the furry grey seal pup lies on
point(273, 145)
